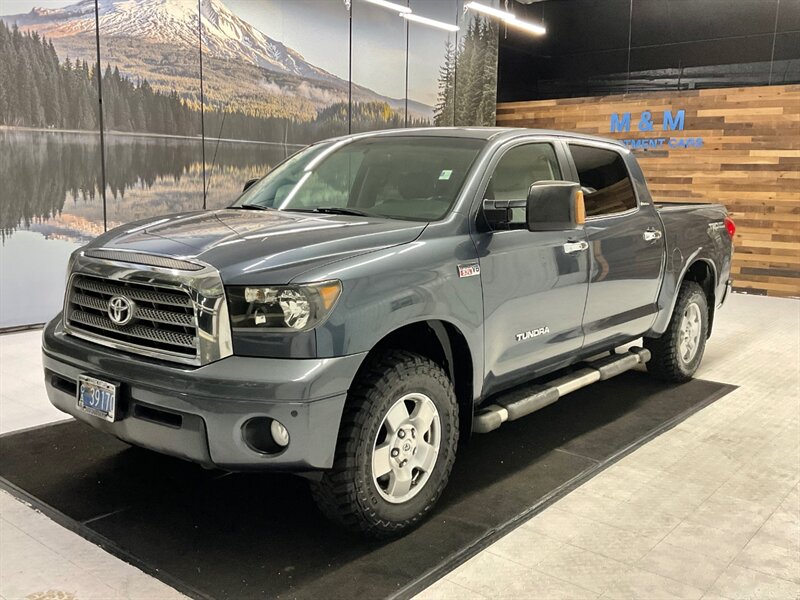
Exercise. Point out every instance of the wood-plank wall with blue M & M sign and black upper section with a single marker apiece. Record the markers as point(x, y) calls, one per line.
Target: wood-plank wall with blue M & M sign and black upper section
point(704, 91)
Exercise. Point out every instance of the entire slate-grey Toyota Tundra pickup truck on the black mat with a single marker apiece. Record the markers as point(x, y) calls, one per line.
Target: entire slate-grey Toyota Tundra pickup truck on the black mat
point(376, 296)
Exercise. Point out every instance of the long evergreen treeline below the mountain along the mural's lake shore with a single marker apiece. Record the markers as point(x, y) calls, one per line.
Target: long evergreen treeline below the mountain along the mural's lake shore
point(38, 90)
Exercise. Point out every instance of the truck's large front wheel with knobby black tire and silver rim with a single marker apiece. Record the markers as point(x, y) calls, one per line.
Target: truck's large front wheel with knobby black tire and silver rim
point(396, 447)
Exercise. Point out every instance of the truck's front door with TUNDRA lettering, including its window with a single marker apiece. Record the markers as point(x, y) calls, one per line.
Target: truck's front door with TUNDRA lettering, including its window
point(534, 284)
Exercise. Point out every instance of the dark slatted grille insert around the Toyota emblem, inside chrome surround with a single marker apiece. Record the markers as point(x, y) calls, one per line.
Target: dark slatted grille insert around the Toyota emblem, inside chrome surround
point(164, 318)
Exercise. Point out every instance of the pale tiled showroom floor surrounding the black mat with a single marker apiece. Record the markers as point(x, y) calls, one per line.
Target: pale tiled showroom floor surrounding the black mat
point(710, 509)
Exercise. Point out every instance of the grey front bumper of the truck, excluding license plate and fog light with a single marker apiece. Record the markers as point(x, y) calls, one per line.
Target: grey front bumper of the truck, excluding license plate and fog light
point(198, 413)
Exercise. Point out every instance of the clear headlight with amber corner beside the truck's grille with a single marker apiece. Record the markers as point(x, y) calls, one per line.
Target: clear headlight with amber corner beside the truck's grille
point(282, 307)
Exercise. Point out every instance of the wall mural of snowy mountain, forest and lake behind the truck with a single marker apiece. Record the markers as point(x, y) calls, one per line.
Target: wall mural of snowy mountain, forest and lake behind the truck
point(198, 97)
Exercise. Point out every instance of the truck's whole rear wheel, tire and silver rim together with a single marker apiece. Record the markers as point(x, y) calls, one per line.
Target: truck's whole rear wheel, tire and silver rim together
point(676, 355)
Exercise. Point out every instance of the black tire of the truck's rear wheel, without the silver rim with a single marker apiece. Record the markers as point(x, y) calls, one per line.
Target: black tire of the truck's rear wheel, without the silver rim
point(666, 362)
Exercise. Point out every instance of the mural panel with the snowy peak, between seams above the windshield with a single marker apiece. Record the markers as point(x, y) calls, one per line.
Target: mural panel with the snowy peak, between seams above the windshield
point(284, 88)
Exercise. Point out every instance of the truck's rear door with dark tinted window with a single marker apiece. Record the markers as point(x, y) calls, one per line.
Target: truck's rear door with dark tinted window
point(626, 245)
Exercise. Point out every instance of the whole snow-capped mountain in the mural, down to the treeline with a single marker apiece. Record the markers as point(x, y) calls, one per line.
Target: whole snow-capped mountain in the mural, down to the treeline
point(157, 40)
